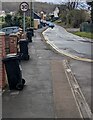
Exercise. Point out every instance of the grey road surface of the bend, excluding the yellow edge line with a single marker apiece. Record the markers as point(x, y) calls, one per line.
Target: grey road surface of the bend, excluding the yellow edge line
point(70, 43)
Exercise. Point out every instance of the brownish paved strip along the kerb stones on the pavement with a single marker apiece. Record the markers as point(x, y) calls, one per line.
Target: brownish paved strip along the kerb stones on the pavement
point(65, 105)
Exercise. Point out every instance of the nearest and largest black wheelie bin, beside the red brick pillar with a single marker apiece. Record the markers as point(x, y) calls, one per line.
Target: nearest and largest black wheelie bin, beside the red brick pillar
point(14, 72)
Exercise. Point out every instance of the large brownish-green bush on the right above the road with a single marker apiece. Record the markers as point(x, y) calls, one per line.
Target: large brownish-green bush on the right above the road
point(74, 17)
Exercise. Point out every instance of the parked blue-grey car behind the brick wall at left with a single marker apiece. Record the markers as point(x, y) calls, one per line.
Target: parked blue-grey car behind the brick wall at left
point(9, 30)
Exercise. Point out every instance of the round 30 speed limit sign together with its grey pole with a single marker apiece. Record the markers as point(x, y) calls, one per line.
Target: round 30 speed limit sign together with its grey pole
point(24, 6)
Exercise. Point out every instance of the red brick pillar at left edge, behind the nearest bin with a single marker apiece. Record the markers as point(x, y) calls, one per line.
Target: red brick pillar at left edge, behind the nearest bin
point(2, 55)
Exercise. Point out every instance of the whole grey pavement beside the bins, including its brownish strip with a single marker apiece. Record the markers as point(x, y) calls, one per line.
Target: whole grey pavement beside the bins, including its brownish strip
point(47, 93)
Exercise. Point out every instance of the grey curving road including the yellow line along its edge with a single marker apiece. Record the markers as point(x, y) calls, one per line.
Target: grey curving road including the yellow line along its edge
point(63, 42)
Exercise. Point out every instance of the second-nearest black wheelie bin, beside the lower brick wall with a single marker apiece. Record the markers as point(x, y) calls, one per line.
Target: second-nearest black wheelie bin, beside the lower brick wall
point(23, 49)
